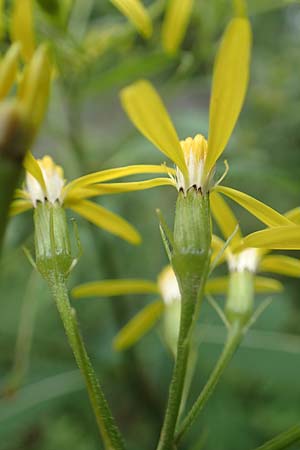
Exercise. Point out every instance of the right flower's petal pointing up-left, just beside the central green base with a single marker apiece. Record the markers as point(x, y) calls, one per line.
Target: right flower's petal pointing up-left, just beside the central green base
point(225, 218)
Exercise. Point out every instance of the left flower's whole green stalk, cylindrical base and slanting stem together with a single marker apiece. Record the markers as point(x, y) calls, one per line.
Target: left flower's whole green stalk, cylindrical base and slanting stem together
point(54, 262)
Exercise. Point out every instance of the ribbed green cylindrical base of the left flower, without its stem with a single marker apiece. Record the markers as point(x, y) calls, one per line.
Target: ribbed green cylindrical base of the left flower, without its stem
point(52, 241)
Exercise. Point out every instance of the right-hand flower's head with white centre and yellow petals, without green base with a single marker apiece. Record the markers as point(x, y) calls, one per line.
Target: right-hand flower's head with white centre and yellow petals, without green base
point(242, 253)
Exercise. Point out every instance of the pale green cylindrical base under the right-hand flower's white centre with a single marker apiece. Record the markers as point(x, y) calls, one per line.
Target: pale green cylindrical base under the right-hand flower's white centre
point(240, 299)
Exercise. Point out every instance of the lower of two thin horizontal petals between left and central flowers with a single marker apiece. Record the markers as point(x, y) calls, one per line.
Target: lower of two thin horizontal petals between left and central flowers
point(116, 188)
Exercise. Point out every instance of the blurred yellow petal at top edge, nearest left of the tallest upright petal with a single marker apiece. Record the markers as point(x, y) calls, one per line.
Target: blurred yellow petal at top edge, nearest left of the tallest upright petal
point(176, 21)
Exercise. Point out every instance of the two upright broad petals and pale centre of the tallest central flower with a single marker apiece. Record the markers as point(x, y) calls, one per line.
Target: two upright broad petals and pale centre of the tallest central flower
point(148, 113)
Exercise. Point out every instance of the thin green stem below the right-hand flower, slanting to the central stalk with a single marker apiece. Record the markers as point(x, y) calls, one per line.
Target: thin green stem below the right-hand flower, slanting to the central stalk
point(233, 340)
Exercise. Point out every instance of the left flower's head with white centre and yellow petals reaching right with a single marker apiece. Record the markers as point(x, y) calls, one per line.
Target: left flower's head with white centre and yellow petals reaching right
point(45, 183)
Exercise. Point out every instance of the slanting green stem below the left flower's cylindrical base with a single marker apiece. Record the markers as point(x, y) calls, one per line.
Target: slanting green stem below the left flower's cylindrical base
point(108, 429)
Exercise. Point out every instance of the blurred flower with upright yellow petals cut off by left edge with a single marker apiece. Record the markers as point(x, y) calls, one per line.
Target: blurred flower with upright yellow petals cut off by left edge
point(31, 87)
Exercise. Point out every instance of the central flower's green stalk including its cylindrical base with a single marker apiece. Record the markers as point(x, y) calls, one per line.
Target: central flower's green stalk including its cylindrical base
point(190, 261)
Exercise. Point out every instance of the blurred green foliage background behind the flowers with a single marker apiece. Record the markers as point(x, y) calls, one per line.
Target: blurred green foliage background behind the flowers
point(43, 403)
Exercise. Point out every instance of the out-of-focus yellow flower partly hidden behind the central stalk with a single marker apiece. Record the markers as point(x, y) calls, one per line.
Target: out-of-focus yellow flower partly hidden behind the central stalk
point(166, 306)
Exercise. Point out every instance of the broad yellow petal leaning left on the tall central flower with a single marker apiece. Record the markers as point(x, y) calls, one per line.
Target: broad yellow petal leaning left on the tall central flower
point(148, 113)
